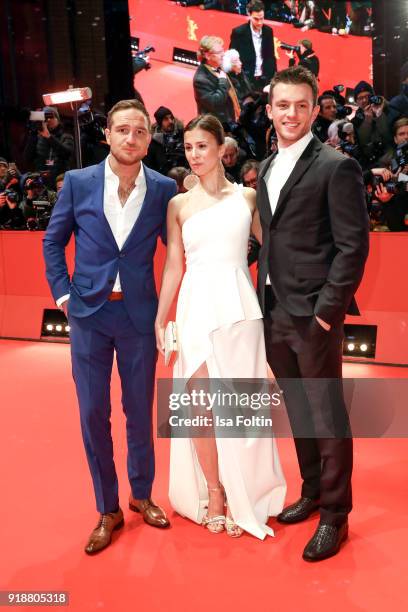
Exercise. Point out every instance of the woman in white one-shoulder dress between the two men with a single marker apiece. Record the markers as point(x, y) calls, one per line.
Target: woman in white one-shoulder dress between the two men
point(220, 333)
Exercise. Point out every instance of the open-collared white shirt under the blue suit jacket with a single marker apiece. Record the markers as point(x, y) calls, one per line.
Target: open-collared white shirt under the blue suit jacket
point(120, 218)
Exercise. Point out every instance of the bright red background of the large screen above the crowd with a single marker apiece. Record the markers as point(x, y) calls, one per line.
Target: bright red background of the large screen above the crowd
point(163, 24)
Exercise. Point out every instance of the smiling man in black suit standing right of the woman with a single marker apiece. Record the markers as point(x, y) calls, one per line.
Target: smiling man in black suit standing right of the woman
point(314, 221)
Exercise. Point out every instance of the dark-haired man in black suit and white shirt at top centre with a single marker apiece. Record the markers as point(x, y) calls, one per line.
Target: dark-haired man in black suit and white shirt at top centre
point(254, 42)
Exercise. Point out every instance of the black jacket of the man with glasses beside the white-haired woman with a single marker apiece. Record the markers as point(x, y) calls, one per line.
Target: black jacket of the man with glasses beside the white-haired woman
point(211, 95)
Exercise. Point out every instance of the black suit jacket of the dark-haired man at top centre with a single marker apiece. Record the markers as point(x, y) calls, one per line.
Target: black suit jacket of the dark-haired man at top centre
point(241, 40)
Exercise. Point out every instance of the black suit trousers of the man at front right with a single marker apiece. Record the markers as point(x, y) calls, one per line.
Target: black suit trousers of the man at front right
point(307, 362)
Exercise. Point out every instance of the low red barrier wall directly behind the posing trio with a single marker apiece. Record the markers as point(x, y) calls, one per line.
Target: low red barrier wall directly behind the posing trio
point(382, 296)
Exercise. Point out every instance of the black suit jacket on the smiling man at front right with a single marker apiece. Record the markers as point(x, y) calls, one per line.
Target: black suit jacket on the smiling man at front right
point(315, 245)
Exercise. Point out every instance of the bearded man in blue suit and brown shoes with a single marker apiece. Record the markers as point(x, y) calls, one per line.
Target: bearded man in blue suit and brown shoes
point(116, 211)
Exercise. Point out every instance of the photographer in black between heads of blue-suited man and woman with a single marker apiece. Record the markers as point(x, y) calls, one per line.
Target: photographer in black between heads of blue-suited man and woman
point(166, 149)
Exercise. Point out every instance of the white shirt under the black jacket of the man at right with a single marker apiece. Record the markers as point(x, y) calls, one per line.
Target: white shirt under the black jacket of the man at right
point(280, 170)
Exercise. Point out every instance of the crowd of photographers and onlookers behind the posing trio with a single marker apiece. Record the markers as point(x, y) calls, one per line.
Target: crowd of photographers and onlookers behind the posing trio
point(232, 85)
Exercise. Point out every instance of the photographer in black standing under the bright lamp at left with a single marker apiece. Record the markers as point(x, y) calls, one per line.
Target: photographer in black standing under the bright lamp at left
point(49, 148)
